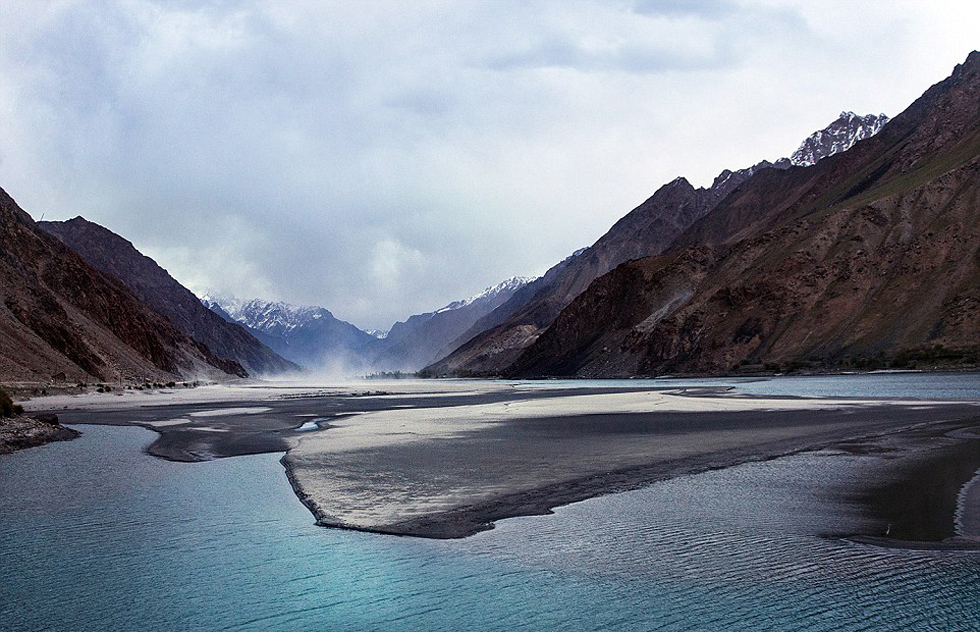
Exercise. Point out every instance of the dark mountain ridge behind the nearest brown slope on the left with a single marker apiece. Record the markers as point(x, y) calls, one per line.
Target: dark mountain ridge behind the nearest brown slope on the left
point(152, 285)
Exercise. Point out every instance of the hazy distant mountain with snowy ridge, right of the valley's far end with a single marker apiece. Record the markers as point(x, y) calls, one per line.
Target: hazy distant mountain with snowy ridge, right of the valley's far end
point(424, 338)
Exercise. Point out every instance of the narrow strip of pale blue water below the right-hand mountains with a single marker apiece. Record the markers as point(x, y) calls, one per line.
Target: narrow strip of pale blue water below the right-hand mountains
point(874, 385)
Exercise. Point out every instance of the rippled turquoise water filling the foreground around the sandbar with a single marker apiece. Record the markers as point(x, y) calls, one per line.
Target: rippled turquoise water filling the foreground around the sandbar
point(95, 535)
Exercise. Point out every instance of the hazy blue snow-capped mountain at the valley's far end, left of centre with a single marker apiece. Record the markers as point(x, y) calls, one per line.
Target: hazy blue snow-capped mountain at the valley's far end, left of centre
point(309, 336)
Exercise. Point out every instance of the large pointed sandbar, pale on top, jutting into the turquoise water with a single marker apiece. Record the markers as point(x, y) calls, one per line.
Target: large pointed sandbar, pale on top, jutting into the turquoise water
point(449, 473)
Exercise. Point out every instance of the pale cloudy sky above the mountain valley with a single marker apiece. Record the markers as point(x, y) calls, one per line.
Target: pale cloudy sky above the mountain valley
point(383, 158)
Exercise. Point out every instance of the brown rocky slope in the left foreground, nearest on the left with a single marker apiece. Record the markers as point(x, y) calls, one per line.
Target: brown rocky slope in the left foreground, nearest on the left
point(63, 320)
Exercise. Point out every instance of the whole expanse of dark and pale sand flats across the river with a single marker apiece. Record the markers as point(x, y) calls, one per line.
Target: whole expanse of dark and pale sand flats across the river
point(446, 460)
